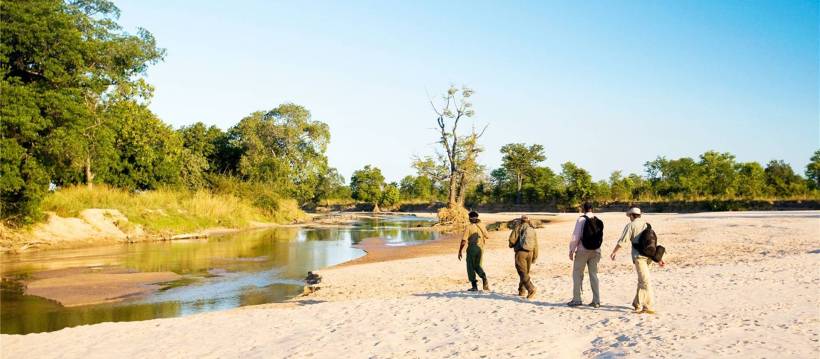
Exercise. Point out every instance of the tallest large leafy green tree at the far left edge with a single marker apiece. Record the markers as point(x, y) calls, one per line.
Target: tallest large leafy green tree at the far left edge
point(63, 64)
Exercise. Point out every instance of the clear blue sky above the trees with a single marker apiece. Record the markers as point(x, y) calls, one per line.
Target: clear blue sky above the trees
point(605, 84)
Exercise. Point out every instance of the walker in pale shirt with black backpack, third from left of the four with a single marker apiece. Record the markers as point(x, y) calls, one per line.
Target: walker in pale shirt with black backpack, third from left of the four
point(585, 252)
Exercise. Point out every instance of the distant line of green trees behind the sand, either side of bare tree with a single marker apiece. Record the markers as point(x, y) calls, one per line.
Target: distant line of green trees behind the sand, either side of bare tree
point(715, 181)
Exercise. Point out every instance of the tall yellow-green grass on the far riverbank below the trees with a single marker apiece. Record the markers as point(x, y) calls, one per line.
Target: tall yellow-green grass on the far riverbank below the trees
point(169, 210)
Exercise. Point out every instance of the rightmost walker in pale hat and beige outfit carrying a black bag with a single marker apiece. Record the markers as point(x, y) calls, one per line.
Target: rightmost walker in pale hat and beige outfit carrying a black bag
point(643, 301)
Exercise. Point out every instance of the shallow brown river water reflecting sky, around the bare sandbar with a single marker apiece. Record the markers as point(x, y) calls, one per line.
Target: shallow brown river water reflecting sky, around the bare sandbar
point(219, 273)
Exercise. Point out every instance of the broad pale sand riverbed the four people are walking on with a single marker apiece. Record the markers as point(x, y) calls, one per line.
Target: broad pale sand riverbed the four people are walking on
point(736, 285)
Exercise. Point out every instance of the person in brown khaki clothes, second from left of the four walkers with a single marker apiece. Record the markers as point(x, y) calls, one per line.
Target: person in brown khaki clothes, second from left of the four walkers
point(524, 241)
